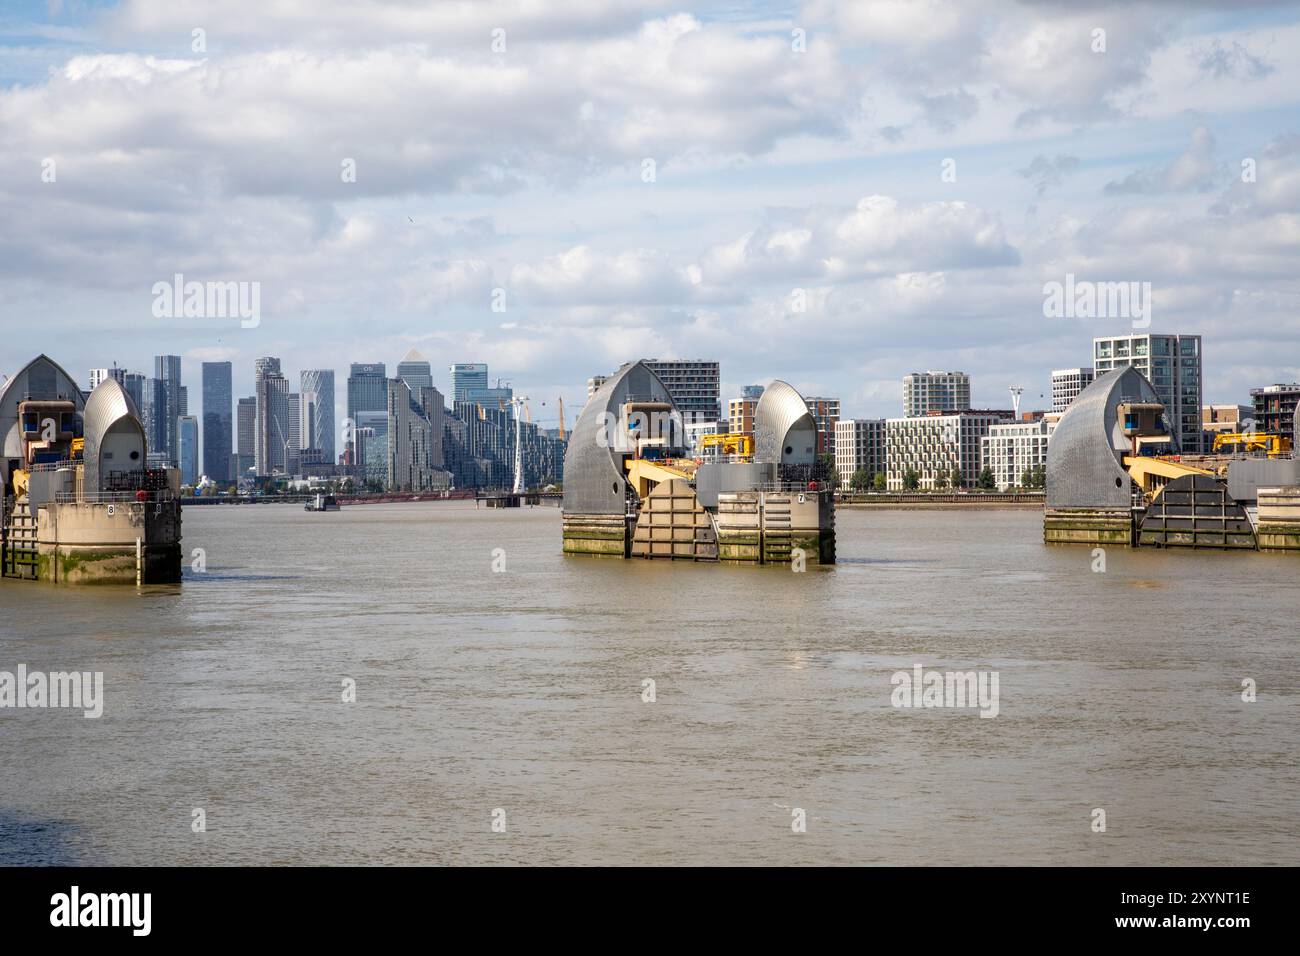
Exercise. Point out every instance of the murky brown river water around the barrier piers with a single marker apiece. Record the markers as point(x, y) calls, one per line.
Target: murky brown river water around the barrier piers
point(518, 697)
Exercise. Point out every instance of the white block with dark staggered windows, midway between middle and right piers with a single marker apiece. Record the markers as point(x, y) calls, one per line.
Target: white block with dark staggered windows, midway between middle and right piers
point(937, 444)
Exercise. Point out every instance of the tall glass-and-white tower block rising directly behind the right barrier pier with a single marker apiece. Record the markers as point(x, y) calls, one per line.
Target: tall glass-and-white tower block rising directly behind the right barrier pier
point(1173, 366)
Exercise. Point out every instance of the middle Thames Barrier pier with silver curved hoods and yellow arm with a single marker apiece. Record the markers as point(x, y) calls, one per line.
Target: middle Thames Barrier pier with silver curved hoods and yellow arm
point(631, 490)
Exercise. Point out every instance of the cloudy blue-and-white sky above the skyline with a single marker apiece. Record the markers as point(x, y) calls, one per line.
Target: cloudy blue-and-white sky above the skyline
point(647, 179)
